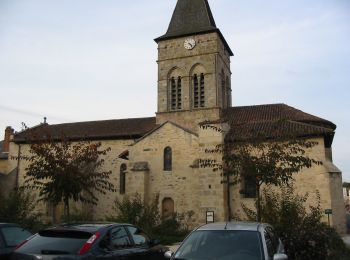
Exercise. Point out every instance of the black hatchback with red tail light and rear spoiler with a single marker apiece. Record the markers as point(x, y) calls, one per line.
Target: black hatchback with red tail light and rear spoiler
point(91, 241)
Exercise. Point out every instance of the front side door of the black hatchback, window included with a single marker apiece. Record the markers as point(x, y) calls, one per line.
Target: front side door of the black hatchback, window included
point(142, 247)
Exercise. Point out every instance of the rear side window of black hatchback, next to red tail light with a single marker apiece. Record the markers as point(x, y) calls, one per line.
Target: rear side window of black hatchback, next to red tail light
point(117, 238)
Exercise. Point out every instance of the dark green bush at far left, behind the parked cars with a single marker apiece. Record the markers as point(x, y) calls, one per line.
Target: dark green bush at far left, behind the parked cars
point(19, 207)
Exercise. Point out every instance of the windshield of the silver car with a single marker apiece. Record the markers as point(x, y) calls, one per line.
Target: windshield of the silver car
point(221, 245)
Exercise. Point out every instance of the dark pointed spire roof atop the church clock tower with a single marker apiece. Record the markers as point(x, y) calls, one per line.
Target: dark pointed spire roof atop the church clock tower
point(192, 17)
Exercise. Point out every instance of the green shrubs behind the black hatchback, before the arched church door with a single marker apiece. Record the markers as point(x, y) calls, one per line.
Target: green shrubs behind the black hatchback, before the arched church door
point(147, 216)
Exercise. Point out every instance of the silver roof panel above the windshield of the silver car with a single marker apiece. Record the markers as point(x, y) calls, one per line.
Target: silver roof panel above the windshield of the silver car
point(233, 225)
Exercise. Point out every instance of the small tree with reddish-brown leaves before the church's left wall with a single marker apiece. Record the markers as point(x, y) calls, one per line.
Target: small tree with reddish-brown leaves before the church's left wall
point(62, 170)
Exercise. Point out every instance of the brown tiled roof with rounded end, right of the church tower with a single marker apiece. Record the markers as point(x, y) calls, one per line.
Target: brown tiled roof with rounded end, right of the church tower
point(272, 121)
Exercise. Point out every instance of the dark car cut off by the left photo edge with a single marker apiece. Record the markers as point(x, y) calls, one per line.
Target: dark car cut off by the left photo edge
point(11, 235)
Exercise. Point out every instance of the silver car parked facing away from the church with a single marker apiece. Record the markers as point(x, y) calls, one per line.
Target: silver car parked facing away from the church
point(230, 241)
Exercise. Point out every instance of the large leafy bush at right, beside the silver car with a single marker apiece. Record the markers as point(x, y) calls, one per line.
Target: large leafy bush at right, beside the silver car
point(301, 229)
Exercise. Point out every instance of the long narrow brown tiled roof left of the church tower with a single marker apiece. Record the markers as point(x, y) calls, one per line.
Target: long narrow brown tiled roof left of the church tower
point(93, 130)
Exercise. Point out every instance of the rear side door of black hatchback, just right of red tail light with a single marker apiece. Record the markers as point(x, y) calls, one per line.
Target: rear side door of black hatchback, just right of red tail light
point(115, 245)
